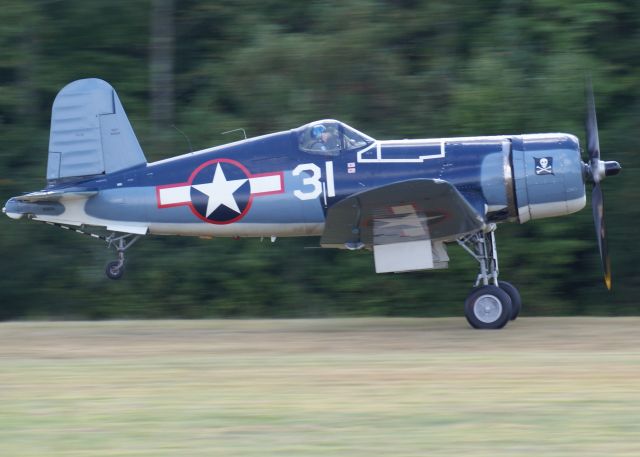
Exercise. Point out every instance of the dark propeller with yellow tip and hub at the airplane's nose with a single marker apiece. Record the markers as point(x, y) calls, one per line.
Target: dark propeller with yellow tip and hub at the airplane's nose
point(596, 170)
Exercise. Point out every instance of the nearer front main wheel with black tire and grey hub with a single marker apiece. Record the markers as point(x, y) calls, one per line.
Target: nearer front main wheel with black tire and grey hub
point(487, 307)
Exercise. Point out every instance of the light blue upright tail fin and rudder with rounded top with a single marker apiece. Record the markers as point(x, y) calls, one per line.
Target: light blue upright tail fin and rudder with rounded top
point(90, 132)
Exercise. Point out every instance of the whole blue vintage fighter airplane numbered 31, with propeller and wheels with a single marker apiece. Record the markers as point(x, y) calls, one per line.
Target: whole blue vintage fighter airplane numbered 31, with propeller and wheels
point(405, 200)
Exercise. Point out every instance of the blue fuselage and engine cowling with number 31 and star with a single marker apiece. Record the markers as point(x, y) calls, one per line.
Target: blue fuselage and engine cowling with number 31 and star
point(272, 186)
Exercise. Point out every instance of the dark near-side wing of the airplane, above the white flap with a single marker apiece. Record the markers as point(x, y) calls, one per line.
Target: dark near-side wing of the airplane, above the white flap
point(412, 210)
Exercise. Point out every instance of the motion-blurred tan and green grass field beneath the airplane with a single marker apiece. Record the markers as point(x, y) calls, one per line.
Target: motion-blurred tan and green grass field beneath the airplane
point(336, 387)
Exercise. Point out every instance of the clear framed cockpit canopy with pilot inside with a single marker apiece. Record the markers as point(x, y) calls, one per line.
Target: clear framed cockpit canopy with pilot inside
point(330, 137)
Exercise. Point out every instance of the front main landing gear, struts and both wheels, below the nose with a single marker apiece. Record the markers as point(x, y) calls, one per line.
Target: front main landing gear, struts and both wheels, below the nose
point(488, 306)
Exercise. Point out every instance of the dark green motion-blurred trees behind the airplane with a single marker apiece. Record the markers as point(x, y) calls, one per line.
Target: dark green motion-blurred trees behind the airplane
point(394, 69)
